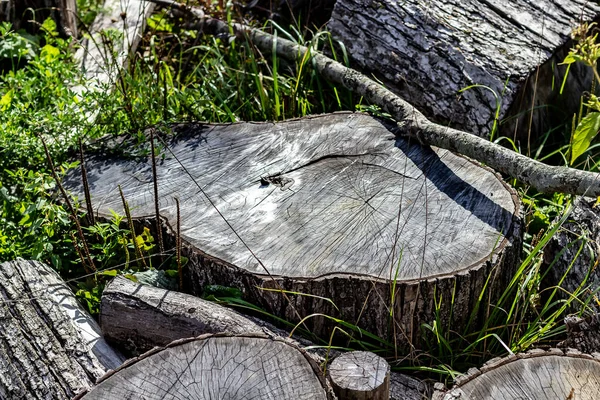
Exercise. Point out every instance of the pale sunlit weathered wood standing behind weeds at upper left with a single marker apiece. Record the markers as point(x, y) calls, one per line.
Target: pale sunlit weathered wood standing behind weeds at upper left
point(100, 61)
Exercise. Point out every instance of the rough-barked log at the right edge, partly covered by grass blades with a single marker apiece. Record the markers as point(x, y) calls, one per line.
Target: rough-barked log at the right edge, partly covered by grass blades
point(572, 255)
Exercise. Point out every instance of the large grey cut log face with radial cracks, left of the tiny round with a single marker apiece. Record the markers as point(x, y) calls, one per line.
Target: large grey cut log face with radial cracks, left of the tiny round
point(218, 367)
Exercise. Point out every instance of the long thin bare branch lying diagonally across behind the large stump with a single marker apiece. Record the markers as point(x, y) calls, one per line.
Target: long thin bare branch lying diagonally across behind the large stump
point(544, 178)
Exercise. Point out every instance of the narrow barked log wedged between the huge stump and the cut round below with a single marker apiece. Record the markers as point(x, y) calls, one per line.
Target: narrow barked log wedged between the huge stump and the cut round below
point(138, 318)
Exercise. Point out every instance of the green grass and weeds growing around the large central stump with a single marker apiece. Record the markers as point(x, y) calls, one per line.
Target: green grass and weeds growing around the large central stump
point(177, 76)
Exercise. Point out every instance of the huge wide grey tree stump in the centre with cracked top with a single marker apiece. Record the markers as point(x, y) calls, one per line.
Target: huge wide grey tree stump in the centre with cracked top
point(334, 206)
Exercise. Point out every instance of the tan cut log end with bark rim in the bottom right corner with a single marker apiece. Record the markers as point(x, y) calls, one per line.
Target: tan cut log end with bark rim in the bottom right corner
point(535, 375)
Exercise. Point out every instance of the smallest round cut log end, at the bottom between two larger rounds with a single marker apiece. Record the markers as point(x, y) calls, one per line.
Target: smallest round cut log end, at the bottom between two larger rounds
point(360, 375)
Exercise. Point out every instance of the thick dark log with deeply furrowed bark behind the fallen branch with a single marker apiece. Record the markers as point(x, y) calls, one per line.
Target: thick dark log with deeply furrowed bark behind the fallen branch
point(428, 51)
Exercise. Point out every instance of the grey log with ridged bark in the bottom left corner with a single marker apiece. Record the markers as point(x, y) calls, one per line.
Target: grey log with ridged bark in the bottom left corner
point(50, 348)
